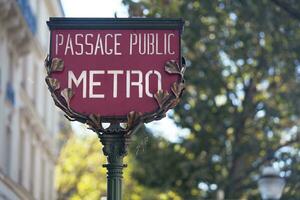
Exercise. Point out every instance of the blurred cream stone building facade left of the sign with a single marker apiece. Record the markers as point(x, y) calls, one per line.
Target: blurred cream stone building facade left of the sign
point(29, 121)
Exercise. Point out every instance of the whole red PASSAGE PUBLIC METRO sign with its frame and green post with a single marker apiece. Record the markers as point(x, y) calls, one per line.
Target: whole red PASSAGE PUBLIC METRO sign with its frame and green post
point(115, 70)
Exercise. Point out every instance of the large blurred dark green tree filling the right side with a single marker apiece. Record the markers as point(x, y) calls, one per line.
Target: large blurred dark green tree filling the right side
point(241, 102)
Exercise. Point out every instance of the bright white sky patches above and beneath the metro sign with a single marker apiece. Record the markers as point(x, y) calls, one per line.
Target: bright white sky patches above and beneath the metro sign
point(108, 8)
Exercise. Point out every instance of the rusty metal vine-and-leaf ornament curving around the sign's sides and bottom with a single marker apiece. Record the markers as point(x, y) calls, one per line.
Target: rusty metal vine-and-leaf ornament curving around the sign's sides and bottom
point(164, 99)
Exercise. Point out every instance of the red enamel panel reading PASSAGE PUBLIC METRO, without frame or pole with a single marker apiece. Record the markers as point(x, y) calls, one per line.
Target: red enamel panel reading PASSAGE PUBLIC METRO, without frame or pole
point(114, 71)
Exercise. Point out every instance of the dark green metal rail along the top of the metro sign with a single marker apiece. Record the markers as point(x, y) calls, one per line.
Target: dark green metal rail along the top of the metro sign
point(55, 23)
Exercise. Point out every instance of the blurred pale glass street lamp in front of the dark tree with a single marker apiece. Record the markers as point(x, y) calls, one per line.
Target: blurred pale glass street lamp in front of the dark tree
point(270, 184)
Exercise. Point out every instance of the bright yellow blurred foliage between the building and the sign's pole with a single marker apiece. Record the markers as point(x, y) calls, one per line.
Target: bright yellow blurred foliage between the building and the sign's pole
point(79, 174)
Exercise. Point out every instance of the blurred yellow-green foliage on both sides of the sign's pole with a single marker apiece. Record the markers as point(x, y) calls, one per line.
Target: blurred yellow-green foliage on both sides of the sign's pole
point(80, 175)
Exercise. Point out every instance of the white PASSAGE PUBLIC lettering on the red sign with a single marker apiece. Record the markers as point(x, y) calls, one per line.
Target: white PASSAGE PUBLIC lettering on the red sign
point(110, 44)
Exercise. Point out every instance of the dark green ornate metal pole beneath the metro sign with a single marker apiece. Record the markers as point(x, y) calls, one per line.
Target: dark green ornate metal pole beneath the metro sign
point(114, 148)
